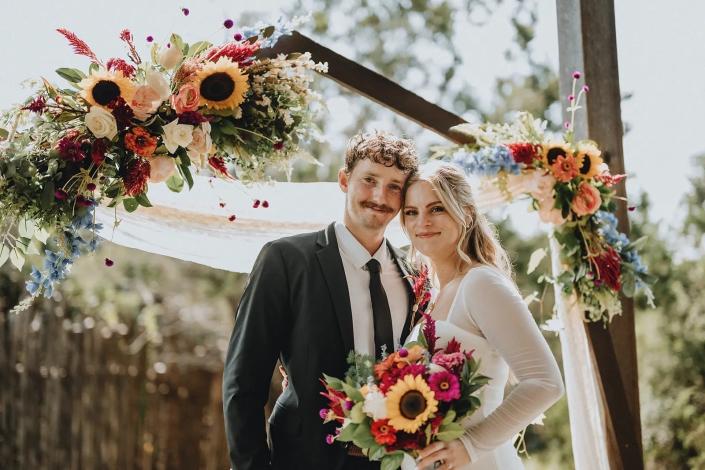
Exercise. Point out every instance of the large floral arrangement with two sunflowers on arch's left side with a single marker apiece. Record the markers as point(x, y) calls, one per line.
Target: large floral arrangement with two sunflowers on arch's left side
point(126, 123)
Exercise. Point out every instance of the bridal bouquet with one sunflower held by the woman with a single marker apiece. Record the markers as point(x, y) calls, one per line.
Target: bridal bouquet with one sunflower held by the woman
point(413, 397)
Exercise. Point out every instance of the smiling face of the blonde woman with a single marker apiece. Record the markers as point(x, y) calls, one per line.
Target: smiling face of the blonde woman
point(432, 230)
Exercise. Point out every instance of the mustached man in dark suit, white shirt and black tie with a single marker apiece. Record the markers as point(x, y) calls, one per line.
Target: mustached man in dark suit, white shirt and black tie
point(310, 299)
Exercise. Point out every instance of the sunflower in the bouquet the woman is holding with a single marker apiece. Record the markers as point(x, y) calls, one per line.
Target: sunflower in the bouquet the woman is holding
point(410, 403)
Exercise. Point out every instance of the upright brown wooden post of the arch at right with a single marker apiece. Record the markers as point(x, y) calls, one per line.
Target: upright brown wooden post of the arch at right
point(587, 42)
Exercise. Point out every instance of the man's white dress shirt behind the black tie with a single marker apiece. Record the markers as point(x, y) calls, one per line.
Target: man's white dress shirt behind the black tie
point(355, 257)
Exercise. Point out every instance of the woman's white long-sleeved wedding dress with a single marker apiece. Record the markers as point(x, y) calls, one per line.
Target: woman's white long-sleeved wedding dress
point(489, 316)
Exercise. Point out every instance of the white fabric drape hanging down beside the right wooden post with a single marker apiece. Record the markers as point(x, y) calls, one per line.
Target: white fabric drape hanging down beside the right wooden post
point(585, 407)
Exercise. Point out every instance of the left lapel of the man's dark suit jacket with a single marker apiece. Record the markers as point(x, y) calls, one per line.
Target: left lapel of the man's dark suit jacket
point(334, 274)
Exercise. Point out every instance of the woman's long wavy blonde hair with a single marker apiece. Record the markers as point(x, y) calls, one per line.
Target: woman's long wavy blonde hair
point(478, 242)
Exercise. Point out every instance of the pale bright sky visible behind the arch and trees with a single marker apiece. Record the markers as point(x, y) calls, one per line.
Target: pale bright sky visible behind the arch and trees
point(660, 50)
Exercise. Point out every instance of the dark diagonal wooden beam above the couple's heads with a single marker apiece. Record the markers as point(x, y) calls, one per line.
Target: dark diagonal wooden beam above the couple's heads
point(372, 85)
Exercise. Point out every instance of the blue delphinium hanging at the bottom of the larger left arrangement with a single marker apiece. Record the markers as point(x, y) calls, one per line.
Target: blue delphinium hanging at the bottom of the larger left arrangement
point(57, 264)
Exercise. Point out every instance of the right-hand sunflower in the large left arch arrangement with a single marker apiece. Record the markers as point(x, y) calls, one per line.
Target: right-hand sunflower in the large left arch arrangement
point(222, 84)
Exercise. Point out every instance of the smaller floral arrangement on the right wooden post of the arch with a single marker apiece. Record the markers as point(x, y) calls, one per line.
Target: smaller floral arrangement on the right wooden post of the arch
point(571, 188)
